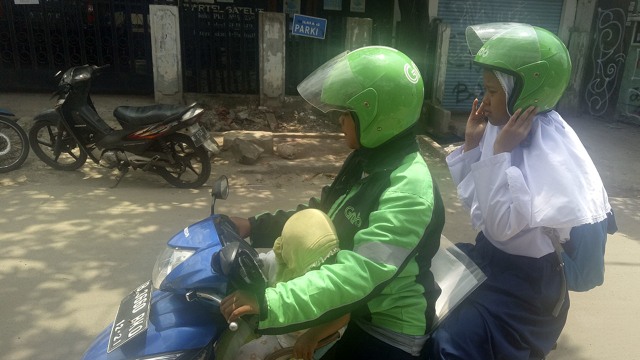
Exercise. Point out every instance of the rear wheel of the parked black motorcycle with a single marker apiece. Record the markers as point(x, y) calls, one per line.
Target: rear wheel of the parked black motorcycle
point(191, 167)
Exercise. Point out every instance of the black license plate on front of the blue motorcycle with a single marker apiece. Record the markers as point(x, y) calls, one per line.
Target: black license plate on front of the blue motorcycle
point(132, 318)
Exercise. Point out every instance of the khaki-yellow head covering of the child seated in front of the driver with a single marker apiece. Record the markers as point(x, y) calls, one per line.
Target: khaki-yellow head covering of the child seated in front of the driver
point(308, 239)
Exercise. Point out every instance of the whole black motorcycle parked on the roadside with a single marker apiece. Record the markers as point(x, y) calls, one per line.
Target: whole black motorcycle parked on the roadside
point(168, 140)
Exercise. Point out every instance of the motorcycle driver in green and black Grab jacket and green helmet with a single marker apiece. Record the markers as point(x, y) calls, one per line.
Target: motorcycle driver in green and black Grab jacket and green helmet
point(386, 209)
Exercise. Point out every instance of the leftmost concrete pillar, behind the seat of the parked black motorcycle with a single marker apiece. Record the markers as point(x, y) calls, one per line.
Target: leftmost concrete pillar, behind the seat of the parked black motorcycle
point(165, 51)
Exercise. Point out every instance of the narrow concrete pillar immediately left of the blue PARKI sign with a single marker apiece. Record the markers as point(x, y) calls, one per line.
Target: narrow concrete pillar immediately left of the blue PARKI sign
point(272, 58)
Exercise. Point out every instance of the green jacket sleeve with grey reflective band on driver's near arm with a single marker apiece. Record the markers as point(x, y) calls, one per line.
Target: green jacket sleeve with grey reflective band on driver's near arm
point(381, 252)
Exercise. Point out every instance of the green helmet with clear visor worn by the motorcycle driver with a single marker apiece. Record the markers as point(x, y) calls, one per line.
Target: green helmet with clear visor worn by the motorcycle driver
point(381, 85)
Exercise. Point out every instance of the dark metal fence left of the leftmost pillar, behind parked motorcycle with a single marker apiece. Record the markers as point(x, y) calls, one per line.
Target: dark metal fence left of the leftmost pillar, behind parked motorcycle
point(39, 38)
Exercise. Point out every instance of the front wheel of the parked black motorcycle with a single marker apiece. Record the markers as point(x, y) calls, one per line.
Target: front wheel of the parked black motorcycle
point(55, 146)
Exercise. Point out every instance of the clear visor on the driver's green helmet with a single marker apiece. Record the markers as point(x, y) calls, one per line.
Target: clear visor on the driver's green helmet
point(331, 85)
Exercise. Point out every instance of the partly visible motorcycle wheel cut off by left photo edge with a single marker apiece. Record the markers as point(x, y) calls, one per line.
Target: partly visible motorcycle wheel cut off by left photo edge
point(14, 145)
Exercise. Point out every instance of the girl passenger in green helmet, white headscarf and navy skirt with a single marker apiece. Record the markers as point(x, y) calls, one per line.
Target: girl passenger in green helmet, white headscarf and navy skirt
point(524, 175)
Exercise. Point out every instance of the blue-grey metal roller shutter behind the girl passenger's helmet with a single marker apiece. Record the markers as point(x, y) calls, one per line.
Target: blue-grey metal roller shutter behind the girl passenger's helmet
point(463, 80)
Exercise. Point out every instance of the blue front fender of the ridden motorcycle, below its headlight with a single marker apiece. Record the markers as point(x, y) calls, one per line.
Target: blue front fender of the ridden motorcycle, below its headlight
point(175, 325)
